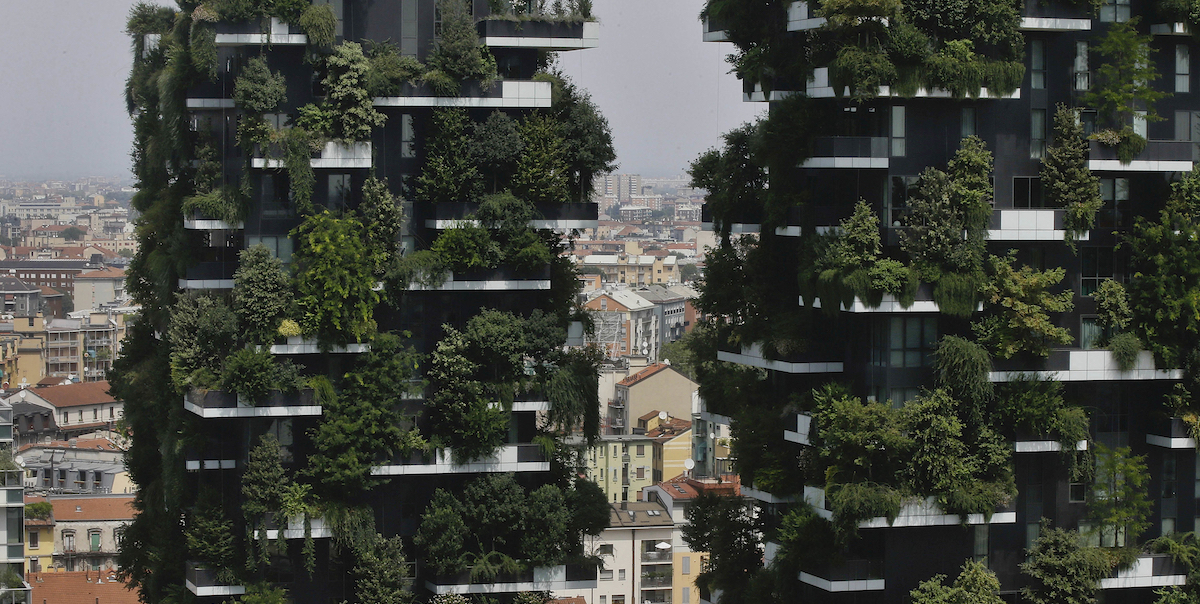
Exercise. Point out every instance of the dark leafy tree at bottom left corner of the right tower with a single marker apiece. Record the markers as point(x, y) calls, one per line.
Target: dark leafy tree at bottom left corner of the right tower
point(728, 529)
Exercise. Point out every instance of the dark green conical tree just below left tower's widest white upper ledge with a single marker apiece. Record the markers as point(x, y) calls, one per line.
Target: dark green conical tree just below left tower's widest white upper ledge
point(448, 175)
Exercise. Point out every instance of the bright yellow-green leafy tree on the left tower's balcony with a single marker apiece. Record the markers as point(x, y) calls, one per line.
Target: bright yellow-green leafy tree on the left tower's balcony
point(334, 280)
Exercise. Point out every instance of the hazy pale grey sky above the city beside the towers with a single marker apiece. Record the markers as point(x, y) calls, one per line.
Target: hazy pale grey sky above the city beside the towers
point(665, 93)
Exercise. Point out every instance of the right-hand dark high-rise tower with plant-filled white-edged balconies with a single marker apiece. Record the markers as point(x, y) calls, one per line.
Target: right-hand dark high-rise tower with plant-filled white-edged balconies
point(865, 152)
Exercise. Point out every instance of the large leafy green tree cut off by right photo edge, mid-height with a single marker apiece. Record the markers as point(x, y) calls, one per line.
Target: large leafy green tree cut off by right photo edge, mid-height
point(1165, 260)
